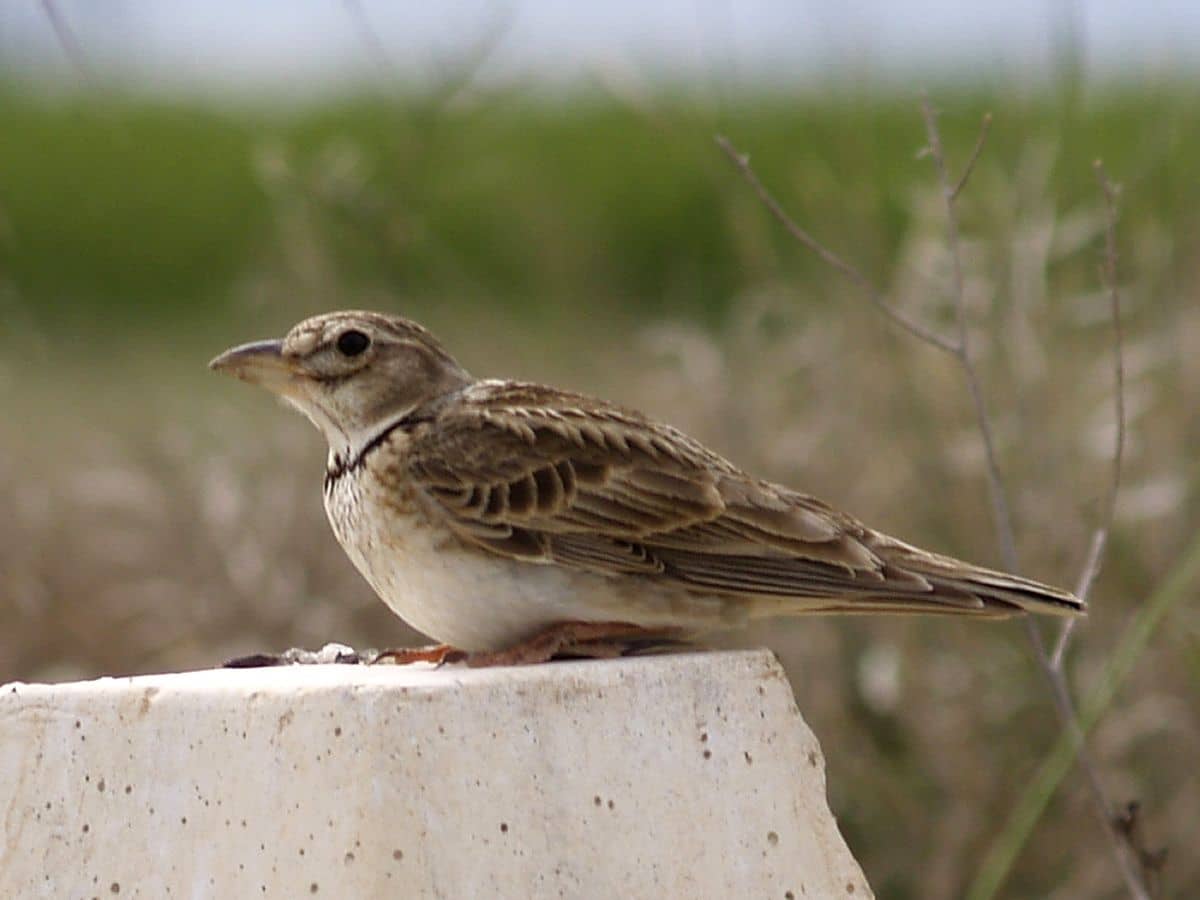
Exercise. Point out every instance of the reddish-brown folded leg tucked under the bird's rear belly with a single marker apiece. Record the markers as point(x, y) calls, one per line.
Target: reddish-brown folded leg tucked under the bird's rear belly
point(587, 640)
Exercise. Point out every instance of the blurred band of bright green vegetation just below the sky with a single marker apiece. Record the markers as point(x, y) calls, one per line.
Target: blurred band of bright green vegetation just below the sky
point(136, 211)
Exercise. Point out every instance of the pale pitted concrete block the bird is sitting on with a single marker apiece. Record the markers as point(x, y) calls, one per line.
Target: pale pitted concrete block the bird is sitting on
point(669, 777)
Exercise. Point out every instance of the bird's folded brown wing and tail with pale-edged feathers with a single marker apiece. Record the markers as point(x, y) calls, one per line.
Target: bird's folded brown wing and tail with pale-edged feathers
point(539, 475)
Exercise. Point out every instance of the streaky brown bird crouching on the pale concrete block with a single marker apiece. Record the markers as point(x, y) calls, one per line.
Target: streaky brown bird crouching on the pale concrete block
point(514, 523)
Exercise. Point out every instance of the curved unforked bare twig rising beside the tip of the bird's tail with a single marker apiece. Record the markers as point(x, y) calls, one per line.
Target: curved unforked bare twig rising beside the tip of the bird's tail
point(1101, 537)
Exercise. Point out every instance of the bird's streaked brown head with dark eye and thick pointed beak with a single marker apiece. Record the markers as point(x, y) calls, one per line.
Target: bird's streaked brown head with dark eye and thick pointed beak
point(350, 373)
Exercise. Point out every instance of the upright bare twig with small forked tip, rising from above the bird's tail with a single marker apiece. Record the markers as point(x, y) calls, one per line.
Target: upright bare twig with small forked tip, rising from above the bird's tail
point(1003, 519)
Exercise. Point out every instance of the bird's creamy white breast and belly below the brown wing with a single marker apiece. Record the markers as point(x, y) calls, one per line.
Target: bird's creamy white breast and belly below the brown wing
point(479, 602)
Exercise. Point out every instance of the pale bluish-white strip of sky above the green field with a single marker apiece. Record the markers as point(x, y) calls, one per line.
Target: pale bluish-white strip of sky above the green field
point(310, 45)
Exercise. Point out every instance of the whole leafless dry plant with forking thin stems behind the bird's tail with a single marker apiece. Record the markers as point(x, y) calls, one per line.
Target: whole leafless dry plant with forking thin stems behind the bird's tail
point(961, 349)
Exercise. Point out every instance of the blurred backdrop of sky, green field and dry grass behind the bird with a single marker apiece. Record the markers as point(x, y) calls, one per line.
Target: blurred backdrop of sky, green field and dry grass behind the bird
point(538, 184)
